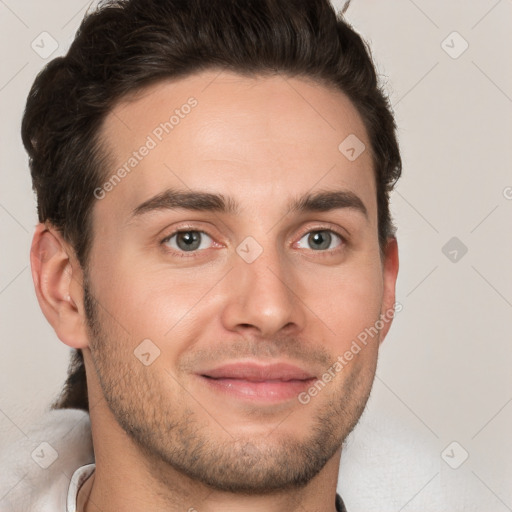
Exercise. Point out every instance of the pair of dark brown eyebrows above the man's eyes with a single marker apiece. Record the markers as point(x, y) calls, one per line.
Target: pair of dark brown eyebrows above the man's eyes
point(196, 200)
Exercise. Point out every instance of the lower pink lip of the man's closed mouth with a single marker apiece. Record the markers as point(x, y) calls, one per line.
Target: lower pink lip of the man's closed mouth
point(269, 390)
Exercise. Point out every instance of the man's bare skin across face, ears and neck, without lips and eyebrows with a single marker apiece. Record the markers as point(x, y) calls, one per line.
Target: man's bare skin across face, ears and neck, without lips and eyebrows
point(164, 438)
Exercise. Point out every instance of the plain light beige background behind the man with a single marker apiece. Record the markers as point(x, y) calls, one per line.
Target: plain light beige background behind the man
point(445, 370)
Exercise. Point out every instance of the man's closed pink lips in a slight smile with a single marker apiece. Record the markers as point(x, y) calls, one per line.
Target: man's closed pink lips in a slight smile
point(258, 382)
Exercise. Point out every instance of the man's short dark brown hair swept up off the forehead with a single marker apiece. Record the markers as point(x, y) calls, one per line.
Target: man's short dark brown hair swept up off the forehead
point(124, 46)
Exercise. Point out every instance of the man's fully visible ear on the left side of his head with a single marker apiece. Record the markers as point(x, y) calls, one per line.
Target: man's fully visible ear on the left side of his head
point(58, 280)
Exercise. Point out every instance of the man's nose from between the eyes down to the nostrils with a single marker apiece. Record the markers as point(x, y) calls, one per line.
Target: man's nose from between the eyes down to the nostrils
point(261, 289)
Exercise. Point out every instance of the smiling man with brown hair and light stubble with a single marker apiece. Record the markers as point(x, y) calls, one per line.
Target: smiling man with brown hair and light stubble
point(213, 181)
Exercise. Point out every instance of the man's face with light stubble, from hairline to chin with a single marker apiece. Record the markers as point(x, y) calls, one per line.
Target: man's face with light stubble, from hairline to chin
point(250, 306)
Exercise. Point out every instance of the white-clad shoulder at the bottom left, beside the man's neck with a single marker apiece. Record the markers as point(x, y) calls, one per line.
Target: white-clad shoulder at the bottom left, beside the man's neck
point(36, 470)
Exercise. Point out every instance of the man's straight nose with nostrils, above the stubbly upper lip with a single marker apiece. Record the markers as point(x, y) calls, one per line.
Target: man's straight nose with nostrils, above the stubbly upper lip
point(263, 296)
